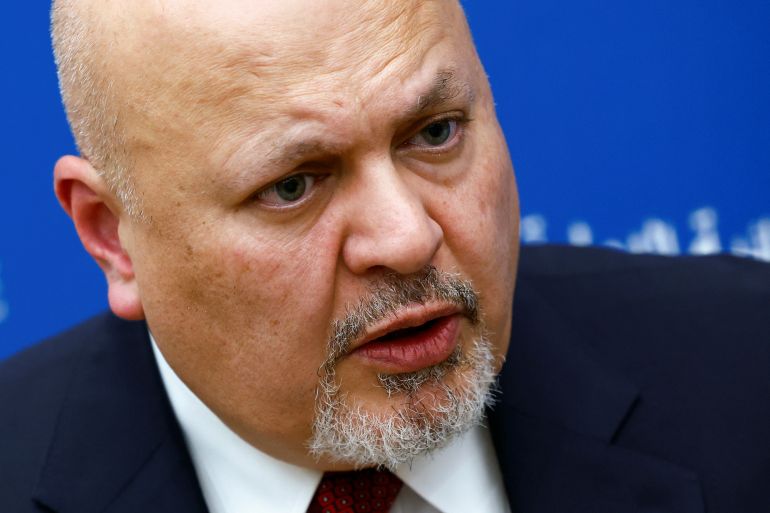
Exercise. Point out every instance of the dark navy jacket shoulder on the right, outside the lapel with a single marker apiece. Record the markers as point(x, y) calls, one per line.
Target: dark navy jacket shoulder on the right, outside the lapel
point(690, 333)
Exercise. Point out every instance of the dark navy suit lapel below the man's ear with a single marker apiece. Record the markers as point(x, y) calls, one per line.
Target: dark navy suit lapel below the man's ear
point(117, 446)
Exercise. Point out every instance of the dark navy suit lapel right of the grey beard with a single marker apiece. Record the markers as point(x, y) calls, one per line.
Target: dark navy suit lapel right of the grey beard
point(555, 427)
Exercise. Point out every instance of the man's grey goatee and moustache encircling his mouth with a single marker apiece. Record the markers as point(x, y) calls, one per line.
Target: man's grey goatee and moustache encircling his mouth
point(346, 432)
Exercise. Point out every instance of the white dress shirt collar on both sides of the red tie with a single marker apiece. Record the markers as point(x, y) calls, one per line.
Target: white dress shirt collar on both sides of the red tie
point(235, 477)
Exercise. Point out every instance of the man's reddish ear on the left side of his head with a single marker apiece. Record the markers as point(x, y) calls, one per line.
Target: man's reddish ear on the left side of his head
point(97, 215)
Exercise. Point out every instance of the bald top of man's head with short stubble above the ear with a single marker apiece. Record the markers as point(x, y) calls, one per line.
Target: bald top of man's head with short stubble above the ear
point(123, 67)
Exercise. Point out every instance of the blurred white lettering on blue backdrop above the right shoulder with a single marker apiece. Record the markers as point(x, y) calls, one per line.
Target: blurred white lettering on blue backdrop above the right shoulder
point(660, 237)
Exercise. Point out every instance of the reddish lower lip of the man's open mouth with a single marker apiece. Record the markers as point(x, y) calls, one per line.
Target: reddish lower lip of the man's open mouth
point(414, 351)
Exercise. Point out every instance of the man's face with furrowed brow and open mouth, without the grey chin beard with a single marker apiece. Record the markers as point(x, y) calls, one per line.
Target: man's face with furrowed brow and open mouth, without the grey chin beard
point(292, 158)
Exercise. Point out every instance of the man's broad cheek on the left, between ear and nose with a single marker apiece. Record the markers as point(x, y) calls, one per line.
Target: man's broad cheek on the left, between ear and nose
point(244, 320)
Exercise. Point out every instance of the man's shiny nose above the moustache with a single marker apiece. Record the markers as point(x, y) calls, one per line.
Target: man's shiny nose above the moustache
point(389, 226)
